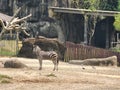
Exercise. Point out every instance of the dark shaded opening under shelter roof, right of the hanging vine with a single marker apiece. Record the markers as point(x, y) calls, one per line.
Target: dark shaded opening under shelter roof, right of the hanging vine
point(104, 33)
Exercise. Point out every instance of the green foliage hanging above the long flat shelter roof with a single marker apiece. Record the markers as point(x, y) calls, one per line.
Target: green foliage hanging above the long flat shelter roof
point(98, 4)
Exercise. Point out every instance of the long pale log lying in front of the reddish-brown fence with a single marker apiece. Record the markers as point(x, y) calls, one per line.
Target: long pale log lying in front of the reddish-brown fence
point(109, 61)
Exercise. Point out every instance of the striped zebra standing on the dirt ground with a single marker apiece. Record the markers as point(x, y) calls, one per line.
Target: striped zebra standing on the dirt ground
point(46, 55)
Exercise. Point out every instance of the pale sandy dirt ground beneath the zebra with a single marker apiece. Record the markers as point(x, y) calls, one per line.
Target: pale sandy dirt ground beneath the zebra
point(68, 77)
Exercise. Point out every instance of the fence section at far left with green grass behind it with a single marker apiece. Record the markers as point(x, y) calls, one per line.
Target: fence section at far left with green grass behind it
point(9, 45)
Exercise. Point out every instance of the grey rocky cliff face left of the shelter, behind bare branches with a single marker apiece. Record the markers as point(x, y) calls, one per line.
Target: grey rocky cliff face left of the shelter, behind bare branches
point(39, 23)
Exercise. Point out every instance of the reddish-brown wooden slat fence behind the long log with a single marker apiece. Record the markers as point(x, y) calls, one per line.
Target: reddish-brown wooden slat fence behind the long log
point(80, 52)
